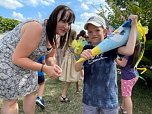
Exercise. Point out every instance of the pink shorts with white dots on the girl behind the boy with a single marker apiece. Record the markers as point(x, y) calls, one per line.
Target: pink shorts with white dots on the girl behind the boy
point(127, 85)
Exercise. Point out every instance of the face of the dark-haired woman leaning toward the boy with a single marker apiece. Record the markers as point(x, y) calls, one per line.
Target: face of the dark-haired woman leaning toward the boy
point(62, 25)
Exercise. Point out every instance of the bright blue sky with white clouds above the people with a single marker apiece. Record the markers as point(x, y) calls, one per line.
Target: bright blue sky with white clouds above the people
point(41, 9)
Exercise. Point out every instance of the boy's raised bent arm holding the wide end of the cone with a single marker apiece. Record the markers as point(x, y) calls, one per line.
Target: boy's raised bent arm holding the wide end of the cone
point(128, 49)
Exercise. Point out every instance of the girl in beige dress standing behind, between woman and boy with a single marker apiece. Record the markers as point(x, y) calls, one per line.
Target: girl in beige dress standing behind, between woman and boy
point(69, 74)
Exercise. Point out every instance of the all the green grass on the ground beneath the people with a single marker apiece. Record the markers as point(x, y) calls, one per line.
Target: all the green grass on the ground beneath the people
point(142, 99)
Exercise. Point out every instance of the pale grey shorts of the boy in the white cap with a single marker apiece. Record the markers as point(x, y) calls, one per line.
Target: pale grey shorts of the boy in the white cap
point(95, 110)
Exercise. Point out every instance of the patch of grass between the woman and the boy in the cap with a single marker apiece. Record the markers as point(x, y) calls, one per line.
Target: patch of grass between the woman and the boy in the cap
point(53, 104)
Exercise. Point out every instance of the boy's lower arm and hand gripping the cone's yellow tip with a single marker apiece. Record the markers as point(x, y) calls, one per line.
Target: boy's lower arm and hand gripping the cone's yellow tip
point(85, 54)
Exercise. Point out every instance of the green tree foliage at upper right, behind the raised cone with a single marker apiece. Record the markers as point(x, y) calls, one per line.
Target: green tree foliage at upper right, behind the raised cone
point(121, 9)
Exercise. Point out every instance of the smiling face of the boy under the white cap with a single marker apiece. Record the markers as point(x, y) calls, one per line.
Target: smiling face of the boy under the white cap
point(95, 34)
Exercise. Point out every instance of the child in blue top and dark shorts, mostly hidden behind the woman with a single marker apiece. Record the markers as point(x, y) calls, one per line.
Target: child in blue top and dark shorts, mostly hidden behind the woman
point(41, 82)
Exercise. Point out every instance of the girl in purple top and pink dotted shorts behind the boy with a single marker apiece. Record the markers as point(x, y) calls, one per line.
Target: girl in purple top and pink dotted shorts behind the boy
point(128, 78)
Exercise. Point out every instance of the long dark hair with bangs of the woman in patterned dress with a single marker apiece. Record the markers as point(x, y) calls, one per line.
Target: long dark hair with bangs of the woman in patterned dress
point(52, 22)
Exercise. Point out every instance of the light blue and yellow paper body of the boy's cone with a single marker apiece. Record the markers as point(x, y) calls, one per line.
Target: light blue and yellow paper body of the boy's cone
point(117, 39)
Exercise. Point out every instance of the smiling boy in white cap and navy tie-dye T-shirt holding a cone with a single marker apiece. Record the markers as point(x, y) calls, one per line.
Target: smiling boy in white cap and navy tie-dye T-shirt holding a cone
point(100, 93)
